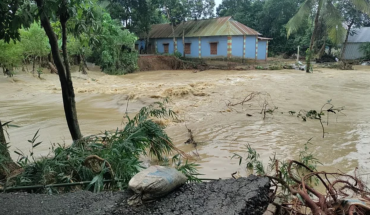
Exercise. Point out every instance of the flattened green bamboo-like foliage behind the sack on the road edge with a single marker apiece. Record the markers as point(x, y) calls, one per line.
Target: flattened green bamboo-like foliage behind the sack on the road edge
point(119, 155)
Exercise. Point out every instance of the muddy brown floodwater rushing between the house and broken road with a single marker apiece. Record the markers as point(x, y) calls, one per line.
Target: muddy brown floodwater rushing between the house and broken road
point(201, 99)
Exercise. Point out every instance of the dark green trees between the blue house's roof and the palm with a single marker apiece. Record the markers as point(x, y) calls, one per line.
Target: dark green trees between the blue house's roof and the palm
point(269, 18)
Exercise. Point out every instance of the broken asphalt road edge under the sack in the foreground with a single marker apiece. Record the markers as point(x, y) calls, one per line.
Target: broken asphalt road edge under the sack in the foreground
point(243, 196)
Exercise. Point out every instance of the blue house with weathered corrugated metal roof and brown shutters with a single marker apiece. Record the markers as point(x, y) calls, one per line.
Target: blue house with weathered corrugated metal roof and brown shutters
point(220, 37)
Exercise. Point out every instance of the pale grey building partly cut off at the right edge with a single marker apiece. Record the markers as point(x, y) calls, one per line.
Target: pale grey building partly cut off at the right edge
point(360, 37)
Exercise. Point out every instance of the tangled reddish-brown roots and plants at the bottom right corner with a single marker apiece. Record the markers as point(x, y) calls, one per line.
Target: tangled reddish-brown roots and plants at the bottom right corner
point(297, 184)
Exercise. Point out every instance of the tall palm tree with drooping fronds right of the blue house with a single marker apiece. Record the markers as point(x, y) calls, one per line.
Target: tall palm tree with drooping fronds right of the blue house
point(333, 20)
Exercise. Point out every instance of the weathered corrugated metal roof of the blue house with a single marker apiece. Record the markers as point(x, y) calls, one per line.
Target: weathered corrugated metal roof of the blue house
point(223, 26)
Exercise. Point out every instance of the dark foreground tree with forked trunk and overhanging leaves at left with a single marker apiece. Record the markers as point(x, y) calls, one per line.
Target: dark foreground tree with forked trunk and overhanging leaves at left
point(45, 11)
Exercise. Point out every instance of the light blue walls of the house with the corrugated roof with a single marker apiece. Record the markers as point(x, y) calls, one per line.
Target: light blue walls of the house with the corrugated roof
point(237, 46)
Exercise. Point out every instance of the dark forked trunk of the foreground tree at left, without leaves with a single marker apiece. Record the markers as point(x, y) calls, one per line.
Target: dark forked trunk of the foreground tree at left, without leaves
point(63, 72)
